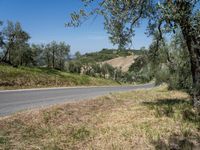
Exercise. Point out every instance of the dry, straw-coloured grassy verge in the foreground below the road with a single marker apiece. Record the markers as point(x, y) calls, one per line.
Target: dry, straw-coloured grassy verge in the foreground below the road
point(143, 119)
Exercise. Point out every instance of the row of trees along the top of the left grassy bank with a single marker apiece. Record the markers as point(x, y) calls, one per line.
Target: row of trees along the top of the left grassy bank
point(16, 51)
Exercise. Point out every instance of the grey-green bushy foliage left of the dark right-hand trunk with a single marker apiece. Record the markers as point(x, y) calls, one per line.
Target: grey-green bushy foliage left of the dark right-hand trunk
point(172, 64)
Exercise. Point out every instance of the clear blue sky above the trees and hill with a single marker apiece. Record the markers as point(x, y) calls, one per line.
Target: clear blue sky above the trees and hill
point(45, 21)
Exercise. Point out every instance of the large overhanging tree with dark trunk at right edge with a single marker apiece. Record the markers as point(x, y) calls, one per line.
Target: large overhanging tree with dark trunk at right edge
point(163, 16)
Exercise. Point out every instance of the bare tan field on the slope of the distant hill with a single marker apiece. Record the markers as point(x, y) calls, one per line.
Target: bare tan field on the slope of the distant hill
point(122, 63)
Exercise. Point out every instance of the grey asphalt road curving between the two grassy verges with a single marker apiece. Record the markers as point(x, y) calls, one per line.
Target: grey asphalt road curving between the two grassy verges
point(12, 101)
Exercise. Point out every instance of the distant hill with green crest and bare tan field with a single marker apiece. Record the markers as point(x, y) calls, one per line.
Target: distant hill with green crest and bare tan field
point(121, 59)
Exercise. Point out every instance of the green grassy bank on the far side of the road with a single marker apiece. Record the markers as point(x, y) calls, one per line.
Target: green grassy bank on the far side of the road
point(24, 77)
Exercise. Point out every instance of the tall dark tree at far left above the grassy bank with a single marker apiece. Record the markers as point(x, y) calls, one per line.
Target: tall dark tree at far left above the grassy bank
point(14, 44)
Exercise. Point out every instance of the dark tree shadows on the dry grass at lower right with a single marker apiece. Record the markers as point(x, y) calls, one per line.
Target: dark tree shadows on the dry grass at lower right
point(182, 110)
